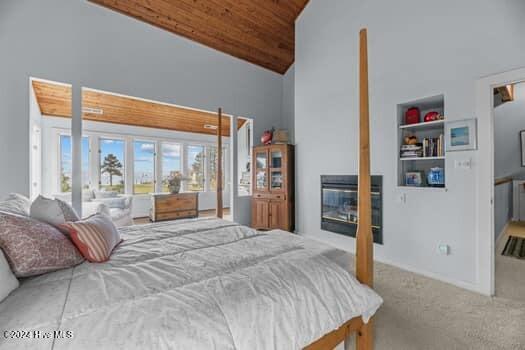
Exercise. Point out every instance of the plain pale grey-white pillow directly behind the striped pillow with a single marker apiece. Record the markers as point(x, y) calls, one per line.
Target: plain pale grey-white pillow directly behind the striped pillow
point(52, 211)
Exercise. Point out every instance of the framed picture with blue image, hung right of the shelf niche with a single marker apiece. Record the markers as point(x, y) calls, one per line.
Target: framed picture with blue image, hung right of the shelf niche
point(461, 135)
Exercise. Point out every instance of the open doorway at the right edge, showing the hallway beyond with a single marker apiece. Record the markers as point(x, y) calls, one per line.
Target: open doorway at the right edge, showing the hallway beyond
point(509, 190)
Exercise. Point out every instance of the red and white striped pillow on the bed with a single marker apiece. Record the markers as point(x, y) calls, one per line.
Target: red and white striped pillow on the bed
point(95, 237)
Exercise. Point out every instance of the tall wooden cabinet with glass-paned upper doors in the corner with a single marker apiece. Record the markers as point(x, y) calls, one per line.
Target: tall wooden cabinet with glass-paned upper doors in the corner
point(273, 187)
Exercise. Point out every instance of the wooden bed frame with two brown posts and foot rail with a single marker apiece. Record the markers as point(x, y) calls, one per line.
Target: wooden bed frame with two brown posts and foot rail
point(364, 241)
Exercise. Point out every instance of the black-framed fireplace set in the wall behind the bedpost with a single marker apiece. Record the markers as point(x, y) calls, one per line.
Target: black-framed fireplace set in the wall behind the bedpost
point(339, 205)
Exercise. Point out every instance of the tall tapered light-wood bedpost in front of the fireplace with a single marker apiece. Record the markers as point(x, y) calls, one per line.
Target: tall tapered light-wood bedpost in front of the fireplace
point(365, 242)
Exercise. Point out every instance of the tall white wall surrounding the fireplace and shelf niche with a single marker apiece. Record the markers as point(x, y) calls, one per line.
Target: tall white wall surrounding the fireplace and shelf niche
point(416, 49)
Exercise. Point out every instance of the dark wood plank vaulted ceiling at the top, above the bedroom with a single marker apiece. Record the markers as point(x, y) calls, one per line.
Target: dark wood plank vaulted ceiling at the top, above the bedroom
point(258, 31)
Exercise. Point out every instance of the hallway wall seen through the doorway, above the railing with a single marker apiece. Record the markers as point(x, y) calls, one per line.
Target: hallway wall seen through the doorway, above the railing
point(509, 120)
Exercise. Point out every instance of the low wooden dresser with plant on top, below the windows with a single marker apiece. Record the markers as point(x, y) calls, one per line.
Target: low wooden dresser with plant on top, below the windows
point(166, 206)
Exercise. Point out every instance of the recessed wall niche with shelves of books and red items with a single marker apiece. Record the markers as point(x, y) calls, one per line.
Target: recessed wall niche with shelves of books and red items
point(428, 151)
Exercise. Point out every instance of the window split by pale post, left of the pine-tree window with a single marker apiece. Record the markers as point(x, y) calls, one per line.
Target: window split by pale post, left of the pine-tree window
point(66, 163)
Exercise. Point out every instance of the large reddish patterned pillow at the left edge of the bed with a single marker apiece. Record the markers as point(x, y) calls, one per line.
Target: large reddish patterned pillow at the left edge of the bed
point(33, 247)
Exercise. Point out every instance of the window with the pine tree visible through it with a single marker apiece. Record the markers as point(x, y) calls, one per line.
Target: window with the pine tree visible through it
point(112, 165)
